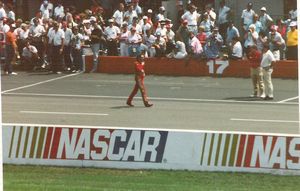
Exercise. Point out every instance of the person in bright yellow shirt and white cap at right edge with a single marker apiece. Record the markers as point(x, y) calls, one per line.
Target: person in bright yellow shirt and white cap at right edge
point(292, 42)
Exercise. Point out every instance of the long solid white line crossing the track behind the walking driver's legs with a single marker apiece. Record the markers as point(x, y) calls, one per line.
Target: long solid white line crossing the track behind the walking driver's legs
point(152, 98)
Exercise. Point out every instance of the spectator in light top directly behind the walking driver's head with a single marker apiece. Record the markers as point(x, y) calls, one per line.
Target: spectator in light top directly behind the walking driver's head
point(134, 42)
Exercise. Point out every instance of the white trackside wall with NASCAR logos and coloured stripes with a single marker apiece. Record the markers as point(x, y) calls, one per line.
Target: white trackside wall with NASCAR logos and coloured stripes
point(128, 148)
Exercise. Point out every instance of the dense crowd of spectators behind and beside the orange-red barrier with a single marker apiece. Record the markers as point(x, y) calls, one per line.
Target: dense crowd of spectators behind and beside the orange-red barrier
point(59, 35)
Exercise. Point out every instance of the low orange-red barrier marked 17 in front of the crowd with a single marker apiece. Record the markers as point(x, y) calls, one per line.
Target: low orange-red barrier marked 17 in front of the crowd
point(173, 67)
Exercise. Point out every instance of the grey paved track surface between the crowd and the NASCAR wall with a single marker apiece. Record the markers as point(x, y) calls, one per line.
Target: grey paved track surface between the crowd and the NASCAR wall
point(196, 103)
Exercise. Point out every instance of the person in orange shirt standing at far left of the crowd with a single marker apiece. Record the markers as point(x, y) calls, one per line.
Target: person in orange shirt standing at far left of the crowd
point(11, 50)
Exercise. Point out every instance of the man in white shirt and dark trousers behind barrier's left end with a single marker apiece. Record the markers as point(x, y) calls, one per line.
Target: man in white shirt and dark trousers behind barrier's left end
point(112, 33)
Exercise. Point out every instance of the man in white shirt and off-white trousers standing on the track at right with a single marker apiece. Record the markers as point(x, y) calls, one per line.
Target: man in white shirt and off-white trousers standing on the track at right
point(267, 63)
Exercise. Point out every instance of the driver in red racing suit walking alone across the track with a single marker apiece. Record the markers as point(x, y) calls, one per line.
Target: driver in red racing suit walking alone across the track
point(139, 82)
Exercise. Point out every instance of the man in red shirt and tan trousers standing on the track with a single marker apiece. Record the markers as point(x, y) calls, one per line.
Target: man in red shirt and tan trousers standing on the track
point(254, 57)
